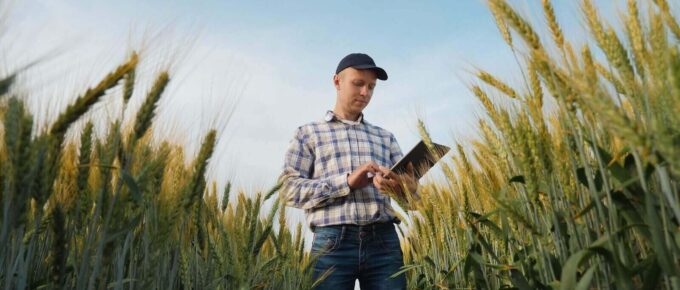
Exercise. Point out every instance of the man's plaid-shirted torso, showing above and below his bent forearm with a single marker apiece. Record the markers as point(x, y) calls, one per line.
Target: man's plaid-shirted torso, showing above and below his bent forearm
point(340, 148)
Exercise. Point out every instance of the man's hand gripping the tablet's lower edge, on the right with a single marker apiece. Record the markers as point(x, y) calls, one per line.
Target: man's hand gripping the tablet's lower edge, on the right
point(391, 183)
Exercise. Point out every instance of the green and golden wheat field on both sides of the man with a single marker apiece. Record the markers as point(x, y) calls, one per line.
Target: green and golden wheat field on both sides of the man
point(573, 184)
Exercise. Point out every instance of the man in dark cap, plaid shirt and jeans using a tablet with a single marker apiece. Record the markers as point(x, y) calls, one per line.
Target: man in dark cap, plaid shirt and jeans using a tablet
point(337, 170)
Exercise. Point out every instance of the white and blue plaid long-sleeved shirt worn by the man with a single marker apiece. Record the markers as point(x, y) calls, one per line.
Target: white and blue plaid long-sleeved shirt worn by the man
point(318, 161)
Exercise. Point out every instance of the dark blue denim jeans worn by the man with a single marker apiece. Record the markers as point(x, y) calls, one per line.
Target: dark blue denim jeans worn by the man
point(370, 253)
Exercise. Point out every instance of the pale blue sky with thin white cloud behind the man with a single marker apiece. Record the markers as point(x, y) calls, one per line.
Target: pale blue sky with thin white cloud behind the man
point(256, 70)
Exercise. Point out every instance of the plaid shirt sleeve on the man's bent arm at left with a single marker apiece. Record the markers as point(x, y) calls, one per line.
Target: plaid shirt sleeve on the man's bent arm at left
point(298, 187)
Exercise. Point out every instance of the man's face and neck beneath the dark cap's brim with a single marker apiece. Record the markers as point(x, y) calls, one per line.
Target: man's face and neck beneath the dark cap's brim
point(355, 88)
